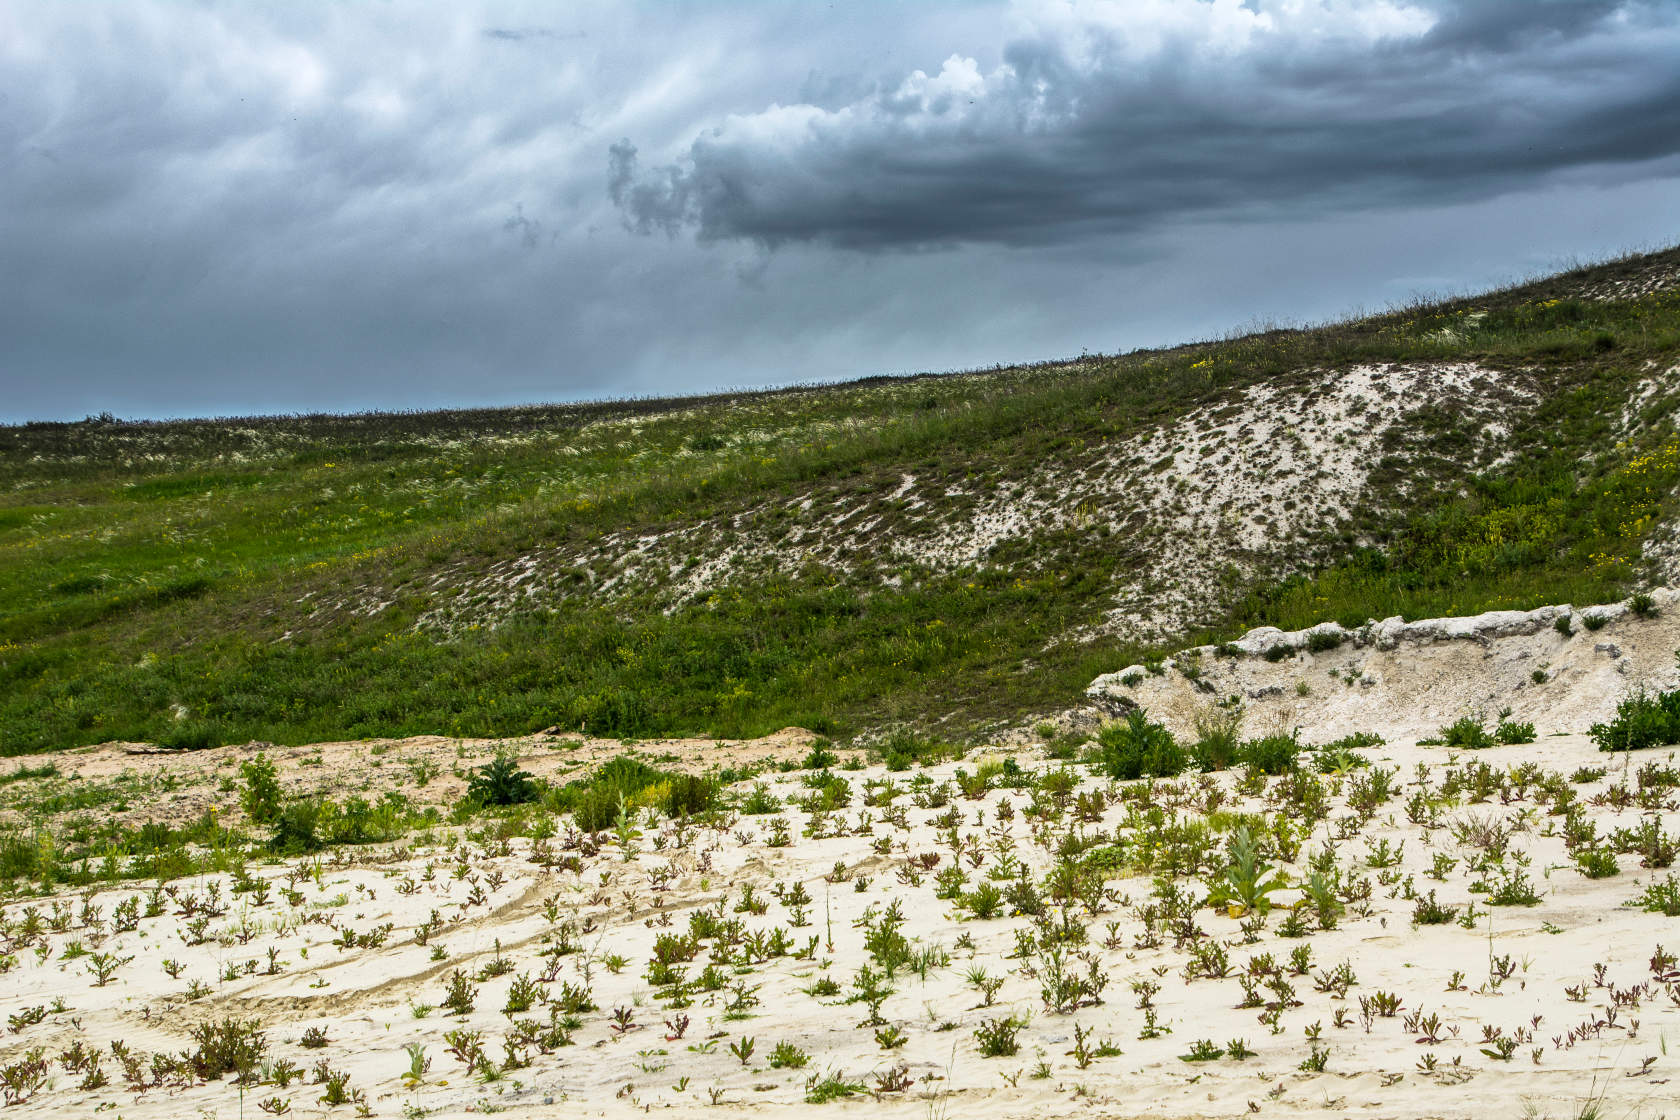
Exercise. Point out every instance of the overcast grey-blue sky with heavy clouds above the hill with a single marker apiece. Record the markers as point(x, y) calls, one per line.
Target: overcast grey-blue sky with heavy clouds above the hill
point(214, 209)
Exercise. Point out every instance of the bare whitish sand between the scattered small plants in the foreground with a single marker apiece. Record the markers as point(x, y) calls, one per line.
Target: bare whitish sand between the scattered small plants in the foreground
point(365, 997)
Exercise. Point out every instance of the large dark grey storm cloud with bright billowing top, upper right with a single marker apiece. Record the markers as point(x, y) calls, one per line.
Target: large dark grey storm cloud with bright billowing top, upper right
point(1120, 120)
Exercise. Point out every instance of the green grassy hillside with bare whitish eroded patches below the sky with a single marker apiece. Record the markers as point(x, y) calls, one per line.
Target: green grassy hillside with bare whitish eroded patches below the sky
point(945, 550)
